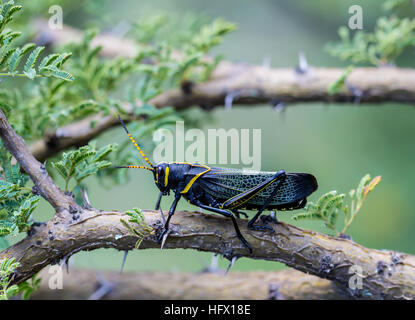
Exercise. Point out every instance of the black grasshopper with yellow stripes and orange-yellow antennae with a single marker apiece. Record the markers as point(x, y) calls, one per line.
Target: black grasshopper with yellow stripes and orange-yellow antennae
point(226, 191)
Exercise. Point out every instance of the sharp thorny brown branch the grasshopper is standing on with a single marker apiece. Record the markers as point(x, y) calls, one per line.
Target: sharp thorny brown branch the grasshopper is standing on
point(385, 274)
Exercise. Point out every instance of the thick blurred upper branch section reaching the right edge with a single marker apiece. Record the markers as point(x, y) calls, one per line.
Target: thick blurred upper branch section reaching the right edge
point(255, 85)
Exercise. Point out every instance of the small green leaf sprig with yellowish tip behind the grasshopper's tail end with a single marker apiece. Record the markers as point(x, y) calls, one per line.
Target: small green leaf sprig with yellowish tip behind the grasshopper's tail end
point(330, 204)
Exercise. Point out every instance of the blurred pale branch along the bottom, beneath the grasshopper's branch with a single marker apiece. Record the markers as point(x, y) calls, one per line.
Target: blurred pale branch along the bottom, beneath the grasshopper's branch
point(280, 285)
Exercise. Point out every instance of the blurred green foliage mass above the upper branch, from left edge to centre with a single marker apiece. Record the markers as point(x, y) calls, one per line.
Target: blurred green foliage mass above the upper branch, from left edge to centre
point(48, 104)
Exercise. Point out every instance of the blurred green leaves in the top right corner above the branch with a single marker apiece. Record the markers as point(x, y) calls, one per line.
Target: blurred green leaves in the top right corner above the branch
point(390, 38)
